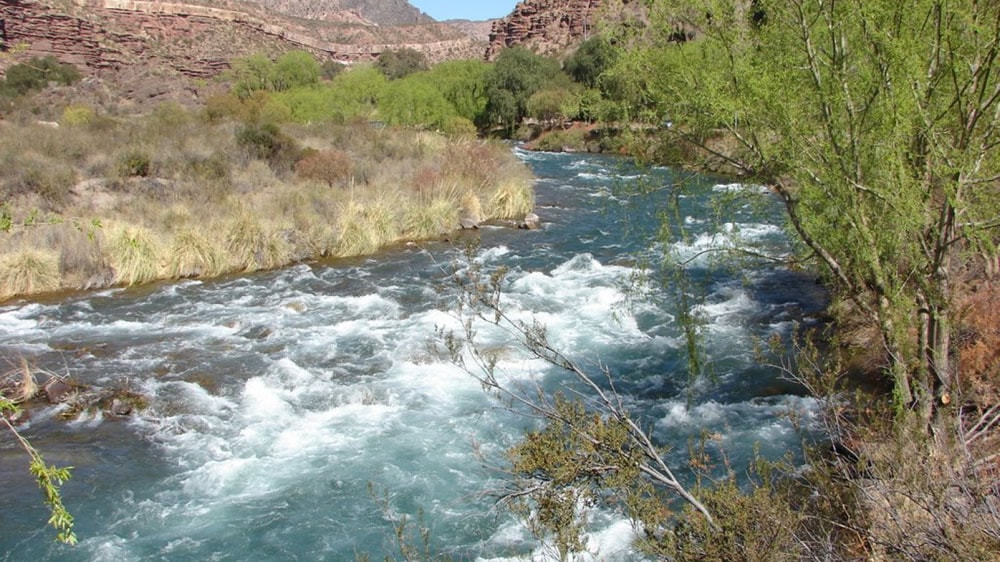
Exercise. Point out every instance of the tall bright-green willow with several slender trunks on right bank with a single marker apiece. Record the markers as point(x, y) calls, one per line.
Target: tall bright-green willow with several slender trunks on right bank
point(876, 122)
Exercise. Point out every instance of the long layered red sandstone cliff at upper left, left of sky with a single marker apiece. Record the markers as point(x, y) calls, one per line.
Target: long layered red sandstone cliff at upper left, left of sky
point(199, 40)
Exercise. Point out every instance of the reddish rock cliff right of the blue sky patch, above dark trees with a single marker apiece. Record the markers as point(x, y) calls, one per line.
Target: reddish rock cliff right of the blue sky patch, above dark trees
point(554, 27)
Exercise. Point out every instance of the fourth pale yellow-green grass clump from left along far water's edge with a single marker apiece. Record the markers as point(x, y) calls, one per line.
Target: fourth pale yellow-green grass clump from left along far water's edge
point(252, 245)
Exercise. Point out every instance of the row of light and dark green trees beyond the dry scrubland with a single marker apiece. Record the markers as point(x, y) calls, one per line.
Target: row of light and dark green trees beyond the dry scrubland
point(401, 88)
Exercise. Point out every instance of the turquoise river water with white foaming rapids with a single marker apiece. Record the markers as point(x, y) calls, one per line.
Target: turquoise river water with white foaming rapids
point(299, 414)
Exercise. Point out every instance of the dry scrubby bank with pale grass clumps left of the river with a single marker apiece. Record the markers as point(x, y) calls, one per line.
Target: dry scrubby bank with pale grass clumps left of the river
point(95, 201)
